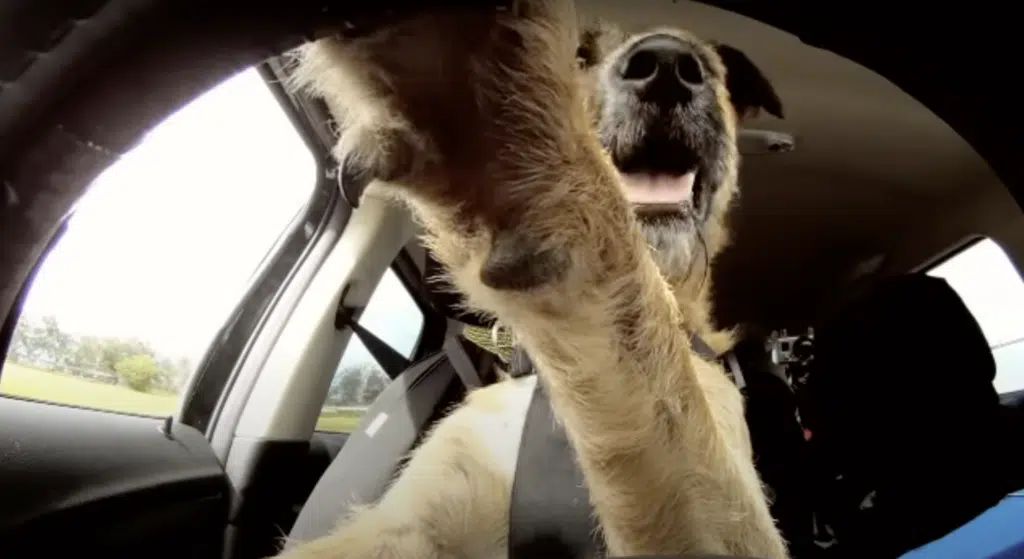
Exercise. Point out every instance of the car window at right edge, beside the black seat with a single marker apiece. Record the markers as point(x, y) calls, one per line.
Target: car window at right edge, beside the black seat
point(992, 288)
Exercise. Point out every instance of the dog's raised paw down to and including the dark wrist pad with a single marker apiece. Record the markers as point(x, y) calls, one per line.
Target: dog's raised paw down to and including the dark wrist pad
point(470, 112)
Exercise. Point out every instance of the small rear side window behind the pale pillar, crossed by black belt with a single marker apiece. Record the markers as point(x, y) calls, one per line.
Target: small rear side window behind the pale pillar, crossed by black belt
point(393, 316)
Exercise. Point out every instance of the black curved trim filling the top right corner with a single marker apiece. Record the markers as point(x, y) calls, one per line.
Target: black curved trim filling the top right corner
point(903, 46)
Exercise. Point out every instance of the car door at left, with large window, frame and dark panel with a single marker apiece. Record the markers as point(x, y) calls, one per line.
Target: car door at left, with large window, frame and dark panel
point(134, 322)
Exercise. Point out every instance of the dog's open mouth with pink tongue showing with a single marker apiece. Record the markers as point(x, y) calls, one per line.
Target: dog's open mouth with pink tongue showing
point(663, 179)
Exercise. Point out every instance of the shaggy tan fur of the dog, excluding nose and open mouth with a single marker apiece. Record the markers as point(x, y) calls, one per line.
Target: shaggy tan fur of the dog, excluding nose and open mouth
point(507, 152)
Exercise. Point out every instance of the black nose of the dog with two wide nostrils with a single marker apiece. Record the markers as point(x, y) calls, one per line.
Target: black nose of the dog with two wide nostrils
point(664, 69)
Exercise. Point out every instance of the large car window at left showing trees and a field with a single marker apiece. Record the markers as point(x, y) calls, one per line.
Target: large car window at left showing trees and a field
point(160, 249)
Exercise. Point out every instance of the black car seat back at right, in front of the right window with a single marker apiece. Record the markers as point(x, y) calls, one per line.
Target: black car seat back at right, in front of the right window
point(903, 406)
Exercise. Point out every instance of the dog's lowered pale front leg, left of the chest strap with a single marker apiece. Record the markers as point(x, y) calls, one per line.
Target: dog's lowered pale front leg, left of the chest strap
point(451, 501)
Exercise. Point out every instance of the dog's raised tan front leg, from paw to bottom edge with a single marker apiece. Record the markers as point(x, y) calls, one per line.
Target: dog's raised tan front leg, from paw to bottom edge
point(478, 121)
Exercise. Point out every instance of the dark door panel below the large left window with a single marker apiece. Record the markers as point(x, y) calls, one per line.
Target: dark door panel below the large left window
point(109, 485)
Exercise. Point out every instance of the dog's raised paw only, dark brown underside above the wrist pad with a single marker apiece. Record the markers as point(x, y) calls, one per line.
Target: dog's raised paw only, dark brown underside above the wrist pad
point(430, 89)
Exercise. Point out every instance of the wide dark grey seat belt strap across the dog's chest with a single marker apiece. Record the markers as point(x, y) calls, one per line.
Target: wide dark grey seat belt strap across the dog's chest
point(550, 514)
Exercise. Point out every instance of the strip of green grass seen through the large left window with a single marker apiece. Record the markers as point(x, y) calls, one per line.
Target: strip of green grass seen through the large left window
point(60, 389)
